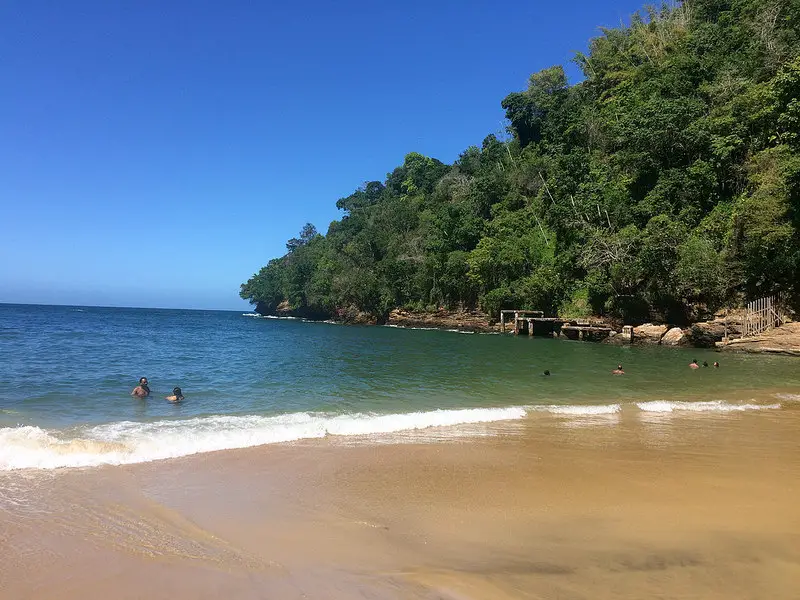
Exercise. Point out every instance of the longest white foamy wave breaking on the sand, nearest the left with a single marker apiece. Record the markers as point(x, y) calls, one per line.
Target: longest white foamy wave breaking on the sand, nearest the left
point(129, 442)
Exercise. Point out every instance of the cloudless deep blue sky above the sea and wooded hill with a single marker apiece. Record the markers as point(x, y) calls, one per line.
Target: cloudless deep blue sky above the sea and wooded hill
point(159, 152)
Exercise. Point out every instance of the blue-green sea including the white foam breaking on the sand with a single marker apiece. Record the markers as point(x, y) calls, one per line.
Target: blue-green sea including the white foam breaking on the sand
point(66, 374)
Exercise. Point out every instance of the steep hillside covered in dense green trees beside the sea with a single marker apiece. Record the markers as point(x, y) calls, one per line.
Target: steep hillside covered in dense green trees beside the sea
point(664, 185)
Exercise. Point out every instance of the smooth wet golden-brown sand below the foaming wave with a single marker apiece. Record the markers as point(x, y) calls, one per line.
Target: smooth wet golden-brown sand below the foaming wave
point(637, 505)
